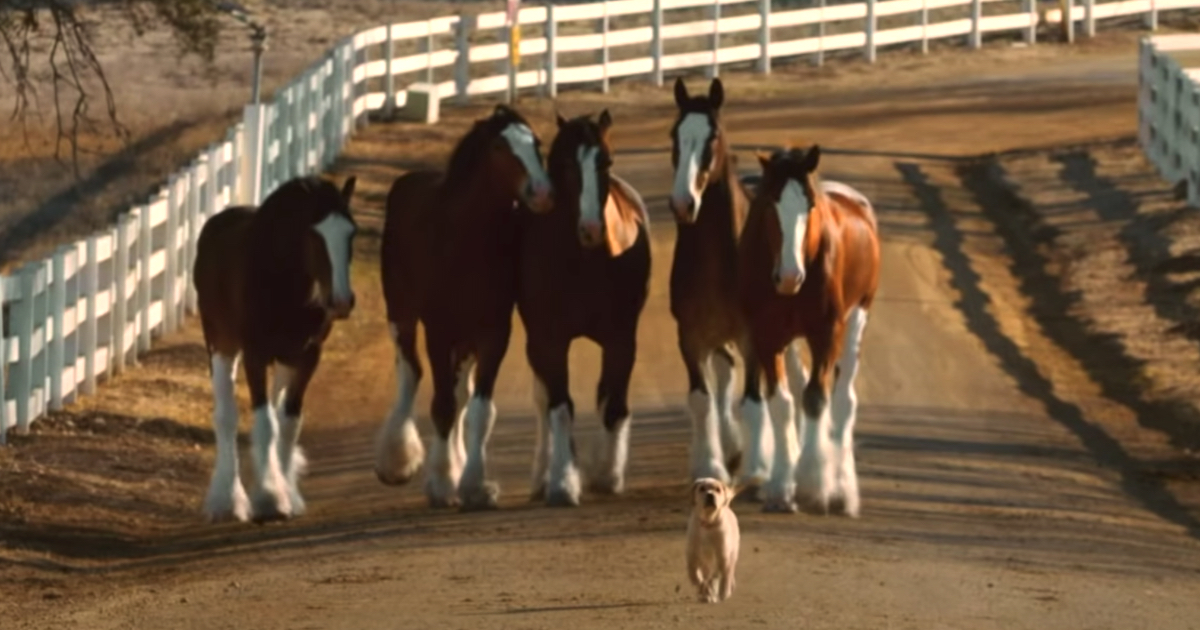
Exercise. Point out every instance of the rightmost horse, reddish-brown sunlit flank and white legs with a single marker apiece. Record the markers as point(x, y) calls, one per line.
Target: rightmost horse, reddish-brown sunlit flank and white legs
point(809, 268)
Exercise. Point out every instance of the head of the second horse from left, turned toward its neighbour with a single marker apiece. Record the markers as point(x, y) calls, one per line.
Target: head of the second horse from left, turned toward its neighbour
point(514, 158)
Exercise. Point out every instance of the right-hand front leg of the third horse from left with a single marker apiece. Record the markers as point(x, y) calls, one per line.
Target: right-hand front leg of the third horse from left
point(617, 368)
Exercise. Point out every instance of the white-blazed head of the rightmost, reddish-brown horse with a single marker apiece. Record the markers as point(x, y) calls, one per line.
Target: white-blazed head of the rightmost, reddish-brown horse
point(789, 188)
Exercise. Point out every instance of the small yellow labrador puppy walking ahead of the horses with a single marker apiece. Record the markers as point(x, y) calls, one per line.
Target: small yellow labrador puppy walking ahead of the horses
point(713, 541)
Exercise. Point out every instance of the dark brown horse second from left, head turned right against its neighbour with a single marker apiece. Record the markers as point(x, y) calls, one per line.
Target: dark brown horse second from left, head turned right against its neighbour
point(449, 257)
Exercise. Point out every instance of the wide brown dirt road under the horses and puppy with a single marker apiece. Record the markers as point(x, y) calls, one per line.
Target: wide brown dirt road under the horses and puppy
point(1001, 487)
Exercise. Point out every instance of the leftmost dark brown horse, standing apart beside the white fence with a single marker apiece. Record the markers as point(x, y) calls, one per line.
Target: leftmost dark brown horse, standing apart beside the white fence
point(271, 283)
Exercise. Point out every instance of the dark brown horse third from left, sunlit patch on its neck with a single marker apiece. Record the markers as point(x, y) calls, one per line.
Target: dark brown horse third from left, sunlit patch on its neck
point(585, 273)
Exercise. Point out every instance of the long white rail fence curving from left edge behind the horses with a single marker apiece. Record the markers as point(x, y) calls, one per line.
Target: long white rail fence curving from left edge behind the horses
point(95, 305)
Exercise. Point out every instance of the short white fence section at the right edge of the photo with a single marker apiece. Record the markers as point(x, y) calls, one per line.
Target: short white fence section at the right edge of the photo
point(1169, 109)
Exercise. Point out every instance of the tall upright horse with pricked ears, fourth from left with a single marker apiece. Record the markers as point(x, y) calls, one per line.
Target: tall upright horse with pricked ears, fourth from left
point(710, 205)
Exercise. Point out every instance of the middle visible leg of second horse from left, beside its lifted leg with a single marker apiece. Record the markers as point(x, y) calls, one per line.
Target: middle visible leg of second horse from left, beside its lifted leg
point(443, 471)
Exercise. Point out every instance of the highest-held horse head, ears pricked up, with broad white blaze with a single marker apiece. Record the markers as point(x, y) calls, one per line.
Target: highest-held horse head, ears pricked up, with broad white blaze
point(697, 149)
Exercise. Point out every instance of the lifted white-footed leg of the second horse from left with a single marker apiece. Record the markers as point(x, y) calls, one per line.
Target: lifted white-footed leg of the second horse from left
point(399, 449)
